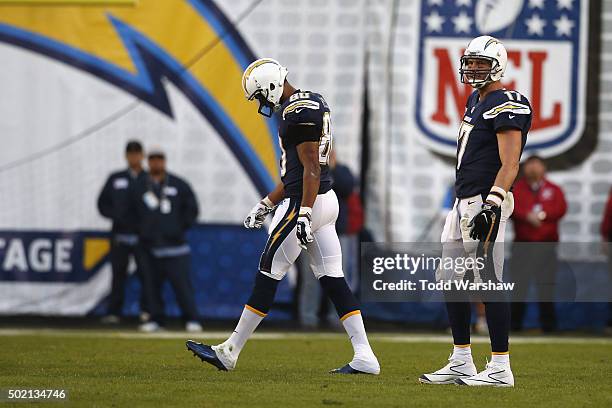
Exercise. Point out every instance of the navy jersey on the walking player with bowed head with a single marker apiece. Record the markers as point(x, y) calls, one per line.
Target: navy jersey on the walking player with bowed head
point(304, 117)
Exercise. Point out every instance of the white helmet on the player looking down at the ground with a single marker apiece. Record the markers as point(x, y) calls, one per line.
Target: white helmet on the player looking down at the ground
point(263, 80)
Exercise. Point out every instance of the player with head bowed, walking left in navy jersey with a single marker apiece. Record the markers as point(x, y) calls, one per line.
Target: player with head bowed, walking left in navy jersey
point(305, 211)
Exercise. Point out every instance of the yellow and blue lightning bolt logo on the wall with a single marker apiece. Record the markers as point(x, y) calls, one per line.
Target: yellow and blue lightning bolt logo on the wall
point(135, 47)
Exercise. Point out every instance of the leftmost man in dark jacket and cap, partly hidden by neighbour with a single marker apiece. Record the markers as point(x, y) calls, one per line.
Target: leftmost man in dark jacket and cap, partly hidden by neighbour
point(113, 203)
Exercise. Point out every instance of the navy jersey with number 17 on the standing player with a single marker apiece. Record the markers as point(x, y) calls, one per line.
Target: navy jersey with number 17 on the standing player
point(477, 152)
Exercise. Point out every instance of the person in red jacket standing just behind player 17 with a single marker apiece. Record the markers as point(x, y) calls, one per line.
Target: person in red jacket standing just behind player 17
point(538, 208)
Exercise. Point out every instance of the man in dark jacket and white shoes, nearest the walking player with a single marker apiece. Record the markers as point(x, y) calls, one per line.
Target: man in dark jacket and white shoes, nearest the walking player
point(164, 207)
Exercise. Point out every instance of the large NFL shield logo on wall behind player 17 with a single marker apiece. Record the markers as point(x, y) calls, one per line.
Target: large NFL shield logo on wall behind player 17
point(547, 43)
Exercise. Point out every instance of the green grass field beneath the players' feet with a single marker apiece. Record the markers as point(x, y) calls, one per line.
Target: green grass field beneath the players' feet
point(121, 371)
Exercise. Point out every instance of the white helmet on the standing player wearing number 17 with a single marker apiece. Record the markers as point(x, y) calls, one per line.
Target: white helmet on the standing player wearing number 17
point(487, 48)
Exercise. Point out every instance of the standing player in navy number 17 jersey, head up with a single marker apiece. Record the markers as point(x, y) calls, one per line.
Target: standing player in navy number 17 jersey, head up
point(491, 139)
